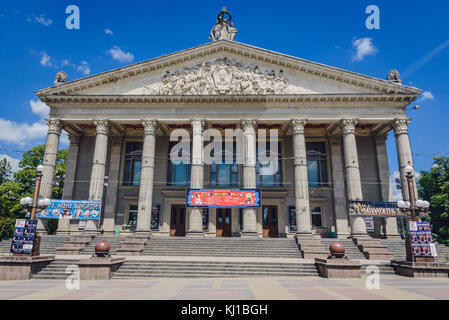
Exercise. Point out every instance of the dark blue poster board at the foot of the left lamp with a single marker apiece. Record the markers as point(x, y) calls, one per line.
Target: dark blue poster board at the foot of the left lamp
point(24, 233)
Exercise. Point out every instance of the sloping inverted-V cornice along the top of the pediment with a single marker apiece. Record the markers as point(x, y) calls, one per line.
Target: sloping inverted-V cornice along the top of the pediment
point(235, 48)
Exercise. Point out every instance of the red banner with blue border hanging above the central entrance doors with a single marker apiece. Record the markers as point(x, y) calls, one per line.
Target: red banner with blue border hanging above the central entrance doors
point(223, 198)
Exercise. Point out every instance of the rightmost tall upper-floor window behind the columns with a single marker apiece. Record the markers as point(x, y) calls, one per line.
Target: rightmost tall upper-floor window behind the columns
point(316, 164)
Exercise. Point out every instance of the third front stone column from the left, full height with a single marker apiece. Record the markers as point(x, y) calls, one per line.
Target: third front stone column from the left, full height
point(147, 178)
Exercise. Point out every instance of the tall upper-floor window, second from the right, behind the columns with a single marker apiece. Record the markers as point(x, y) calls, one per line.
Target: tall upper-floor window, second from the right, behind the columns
point(274, 178)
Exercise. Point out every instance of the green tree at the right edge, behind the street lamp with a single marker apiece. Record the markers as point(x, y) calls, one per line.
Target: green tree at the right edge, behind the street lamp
point(434, 187)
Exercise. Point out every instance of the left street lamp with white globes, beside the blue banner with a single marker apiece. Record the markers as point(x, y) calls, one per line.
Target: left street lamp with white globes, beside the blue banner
point(34, 205)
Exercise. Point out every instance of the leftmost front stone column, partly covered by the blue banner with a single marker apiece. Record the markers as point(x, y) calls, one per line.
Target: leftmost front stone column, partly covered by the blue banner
point(50, 155)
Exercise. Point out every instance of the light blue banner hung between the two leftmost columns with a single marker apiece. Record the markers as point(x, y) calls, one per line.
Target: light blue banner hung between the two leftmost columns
point(72, 210)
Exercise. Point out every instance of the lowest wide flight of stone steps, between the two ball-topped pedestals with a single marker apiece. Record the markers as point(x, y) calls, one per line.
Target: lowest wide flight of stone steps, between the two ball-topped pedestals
point(212, 269)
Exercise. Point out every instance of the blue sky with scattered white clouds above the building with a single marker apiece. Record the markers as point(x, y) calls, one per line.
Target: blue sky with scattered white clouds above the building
point(413, 38)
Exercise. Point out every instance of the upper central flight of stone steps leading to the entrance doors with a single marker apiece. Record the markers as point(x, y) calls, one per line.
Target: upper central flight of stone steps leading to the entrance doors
point(222, 247)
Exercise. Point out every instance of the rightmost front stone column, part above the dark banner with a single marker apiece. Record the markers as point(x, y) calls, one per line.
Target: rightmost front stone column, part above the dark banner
point(405, 158)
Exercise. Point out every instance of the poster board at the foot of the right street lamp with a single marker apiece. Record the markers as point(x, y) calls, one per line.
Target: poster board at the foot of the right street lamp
point(422, 240)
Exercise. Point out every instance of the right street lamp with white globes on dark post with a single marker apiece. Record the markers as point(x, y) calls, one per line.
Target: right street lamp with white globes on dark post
point(414, 207)
